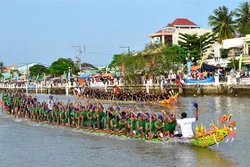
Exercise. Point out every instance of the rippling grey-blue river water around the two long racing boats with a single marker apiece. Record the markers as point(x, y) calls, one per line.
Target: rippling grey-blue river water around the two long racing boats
point(28, 144)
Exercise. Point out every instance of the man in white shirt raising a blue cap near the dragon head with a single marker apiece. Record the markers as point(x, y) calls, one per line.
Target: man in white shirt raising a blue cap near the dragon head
point(186, 123)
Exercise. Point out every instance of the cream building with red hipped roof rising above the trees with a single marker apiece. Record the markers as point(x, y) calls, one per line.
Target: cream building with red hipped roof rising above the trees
point(169, 34)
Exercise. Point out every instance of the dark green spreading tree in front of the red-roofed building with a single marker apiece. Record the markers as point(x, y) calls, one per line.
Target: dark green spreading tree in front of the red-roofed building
point(196, 45)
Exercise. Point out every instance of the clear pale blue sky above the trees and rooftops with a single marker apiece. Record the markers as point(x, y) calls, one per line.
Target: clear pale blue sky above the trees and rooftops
point(44, 30)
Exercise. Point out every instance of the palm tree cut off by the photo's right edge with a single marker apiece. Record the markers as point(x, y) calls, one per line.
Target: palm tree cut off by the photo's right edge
point(243, 18)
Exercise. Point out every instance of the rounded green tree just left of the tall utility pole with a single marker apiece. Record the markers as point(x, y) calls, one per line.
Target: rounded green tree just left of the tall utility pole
point(62, 66)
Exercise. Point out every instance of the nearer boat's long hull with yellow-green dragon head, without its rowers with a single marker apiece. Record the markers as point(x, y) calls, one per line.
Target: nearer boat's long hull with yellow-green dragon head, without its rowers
point(216, 133)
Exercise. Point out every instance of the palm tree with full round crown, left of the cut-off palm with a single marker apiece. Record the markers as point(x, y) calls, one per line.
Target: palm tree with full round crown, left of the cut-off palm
point(222, 22)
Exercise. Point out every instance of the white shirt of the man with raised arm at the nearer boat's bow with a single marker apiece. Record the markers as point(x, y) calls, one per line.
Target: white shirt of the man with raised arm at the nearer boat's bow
point(186, 126)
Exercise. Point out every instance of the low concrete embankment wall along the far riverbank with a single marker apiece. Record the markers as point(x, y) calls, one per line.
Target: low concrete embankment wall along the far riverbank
point(186, 90)
